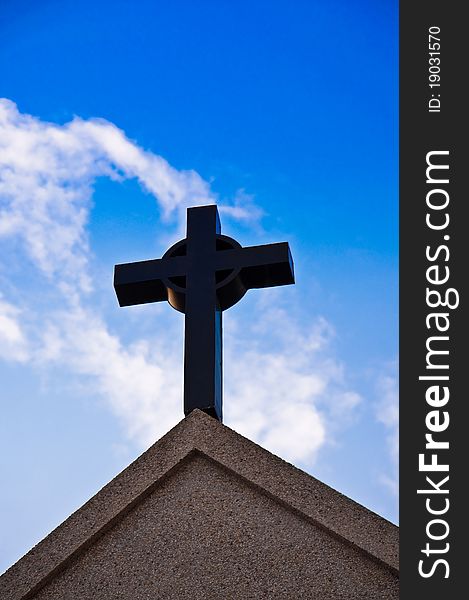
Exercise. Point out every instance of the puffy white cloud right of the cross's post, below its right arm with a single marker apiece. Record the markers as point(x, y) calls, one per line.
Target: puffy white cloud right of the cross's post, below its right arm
point(291, 398)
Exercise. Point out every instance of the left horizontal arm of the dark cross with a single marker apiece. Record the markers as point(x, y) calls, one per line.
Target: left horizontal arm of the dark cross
point(142, 282)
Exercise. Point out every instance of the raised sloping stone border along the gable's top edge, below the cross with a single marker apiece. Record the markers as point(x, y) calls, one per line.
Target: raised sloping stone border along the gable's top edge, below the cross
point(201, 436)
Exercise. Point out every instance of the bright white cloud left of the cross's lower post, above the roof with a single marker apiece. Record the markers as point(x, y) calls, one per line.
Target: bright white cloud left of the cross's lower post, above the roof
point(141, 385)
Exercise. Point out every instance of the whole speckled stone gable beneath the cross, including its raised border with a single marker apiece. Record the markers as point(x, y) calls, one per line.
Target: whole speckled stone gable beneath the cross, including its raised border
point(207, 514)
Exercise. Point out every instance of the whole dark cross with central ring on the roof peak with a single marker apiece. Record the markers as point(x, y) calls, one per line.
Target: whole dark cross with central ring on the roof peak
point(201, 276)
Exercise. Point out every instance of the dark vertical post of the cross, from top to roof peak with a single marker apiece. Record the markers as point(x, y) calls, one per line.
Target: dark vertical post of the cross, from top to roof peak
point(203, 316)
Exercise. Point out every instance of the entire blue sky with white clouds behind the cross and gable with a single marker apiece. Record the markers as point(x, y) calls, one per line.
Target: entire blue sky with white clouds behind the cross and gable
point(115, 118)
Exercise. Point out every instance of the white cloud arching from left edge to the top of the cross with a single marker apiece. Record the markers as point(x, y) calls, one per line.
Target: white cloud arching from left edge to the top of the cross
point(46, 177)
